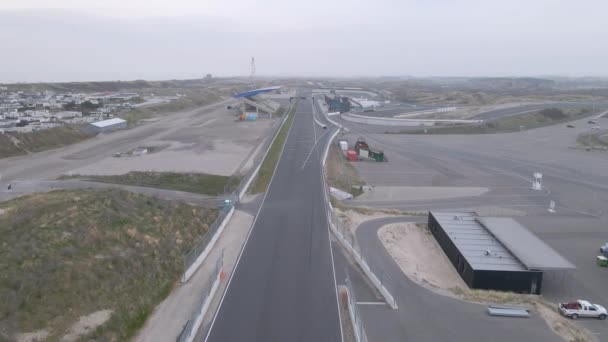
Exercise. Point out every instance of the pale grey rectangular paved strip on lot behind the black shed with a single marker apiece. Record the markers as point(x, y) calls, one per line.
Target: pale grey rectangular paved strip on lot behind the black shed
point(419, 193)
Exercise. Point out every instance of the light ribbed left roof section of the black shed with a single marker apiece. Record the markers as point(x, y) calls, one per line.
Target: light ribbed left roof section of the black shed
point(480, 248)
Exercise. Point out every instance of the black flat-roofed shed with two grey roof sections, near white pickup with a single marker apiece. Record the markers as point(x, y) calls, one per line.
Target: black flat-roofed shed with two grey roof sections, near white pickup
point(494, 253)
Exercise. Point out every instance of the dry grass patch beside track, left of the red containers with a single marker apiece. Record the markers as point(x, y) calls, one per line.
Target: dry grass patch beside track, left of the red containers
point(341, 174)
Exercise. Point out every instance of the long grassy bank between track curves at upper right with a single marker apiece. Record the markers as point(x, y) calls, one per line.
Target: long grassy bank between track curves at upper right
point(545, 117)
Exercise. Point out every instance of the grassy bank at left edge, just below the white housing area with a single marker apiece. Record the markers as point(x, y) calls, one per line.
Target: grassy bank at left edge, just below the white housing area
point(12, 144)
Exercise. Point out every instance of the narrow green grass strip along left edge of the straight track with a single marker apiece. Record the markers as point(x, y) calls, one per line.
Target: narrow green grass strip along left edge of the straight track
point(262, 180)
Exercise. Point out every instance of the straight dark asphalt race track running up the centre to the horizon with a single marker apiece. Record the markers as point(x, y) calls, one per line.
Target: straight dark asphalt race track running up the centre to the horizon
point(283, 288)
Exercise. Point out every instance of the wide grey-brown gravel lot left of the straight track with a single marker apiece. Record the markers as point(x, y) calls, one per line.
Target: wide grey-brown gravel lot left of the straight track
point(203, 140)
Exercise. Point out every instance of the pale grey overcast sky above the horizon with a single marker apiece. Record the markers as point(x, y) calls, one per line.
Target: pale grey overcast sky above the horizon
point(77, 40)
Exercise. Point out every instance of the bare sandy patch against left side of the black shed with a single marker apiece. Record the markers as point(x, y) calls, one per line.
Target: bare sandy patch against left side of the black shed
point(419, 255)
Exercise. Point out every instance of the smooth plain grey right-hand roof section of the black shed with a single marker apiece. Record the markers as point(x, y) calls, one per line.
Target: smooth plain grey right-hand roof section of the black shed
point(529, 249)
